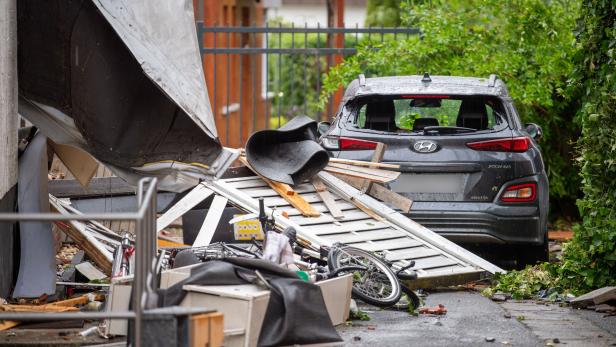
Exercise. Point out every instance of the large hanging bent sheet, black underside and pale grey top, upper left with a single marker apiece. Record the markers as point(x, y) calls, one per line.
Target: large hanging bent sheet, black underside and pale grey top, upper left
point(73, 60)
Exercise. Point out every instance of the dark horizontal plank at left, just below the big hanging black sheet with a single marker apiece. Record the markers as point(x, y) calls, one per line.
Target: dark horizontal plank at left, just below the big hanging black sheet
point(98, 186)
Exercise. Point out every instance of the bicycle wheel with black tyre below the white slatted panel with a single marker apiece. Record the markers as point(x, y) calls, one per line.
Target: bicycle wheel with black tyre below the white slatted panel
point(376, 285)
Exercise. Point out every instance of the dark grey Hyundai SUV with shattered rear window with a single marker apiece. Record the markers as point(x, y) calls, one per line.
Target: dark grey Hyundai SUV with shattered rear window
point(475, 173)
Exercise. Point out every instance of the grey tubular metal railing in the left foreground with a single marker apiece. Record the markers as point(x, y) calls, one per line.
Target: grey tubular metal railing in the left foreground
point(145, 250)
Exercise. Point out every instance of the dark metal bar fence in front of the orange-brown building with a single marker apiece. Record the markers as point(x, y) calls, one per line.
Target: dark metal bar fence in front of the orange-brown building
point(259, 77)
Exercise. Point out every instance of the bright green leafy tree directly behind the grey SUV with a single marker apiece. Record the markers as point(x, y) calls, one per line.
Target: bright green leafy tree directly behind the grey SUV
point(528, 43)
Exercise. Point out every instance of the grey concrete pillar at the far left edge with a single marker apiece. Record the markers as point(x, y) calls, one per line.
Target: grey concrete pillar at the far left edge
point(8, 136)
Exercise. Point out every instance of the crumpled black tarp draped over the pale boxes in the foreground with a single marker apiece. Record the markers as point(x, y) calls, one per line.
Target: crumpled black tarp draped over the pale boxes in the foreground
point(296, 313)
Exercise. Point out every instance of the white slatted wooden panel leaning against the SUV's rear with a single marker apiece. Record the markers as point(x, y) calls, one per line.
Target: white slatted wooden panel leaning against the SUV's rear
point(402, 242)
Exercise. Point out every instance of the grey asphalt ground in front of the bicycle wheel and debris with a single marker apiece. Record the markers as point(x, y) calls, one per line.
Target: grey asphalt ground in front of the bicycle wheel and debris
point(470, 319)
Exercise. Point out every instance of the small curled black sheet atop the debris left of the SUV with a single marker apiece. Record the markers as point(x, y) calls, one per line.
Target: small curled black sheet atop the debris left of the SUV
point(289, 154)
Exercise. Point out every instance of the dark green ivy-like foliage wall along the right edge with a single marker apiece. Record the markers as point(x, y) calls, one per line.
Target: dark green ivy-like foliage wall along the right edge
point(590, 259)
